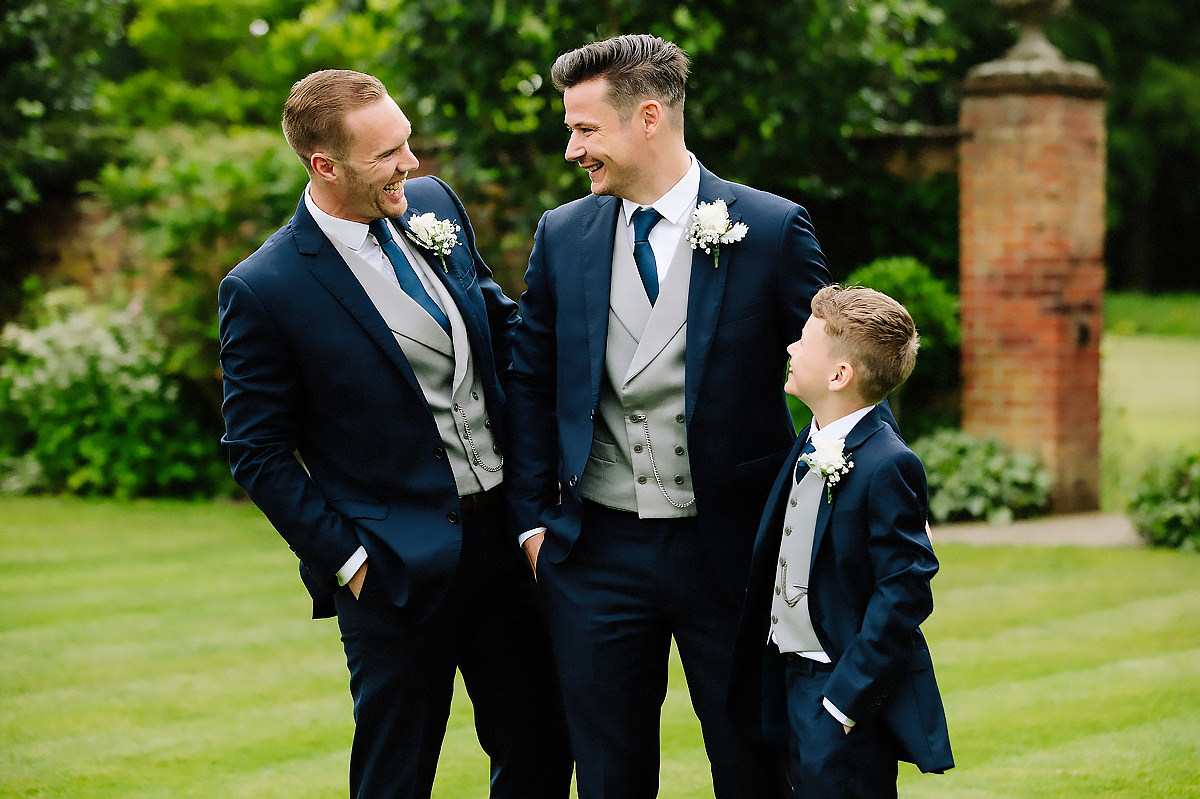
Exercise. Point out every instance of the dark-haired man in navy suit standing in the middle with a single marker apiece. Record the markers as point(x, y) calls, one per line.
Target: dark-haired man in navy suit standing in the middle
point(649, 416)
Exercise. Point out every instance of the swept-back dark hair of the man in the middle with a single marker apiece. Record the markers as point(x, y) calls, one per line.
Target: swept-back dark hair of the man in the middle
point(638, 67)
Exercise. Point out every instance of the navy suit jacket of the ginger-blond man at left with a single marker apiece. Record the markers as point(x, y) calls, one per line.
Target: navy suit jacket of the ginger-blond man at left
point(327, 426)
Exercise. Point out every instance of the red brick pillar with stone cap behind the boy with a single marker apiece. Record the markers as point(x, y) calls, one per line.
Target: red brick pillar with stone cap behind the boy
point(1033, 272)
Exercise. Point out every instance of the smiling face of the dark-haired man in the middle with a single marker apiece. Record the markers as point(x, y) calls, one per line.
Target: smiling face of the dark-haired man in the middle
point(614, 152)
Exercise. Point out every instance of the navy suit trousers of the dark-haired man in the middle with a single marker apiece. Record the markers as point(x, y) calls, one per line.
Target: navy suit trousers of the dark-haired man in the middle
point(628, 588)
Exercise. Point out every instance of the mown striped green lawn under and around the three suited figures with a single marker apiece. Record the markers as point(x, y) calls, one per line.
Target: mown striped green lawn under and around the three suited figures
point(164, 651)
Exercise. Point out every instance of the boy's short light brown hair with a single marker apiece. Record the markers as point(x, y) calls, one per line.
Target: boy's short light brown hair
point(874, 333)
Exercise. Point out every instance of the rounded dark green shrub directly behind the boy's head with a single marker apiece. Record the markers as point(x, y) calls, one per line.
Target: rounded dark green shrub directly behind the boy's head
point(931, 398)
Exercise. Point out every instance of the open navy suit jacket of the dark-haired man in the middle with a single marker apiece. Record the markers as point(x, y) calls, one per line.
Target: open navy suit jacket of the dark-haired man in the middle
point(742, 315)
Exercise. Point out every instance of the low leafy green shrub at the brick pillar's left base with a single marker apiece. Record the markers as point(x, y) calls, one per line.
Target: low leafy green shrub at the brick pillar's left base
point(971, 479)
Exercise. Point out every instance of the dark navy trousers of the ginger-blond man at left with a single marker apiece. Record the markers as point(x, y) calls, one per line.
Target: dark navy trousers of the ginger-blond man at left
point(403, 674)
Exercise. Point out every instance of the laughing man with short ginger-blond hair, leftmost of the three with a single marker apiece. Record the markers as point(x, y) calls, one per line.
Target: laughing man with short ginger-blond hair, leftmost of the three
point(363, 349)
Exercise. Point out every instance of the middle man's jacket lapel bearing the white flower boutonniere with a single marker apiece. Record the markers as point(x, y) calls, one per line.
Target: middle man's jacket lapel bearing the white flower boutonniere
point(706, 292)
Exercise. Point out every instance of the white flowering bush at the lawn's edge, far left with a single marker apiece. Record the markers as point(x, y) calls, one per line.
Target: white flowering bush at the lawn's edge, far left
point(89, 408)
